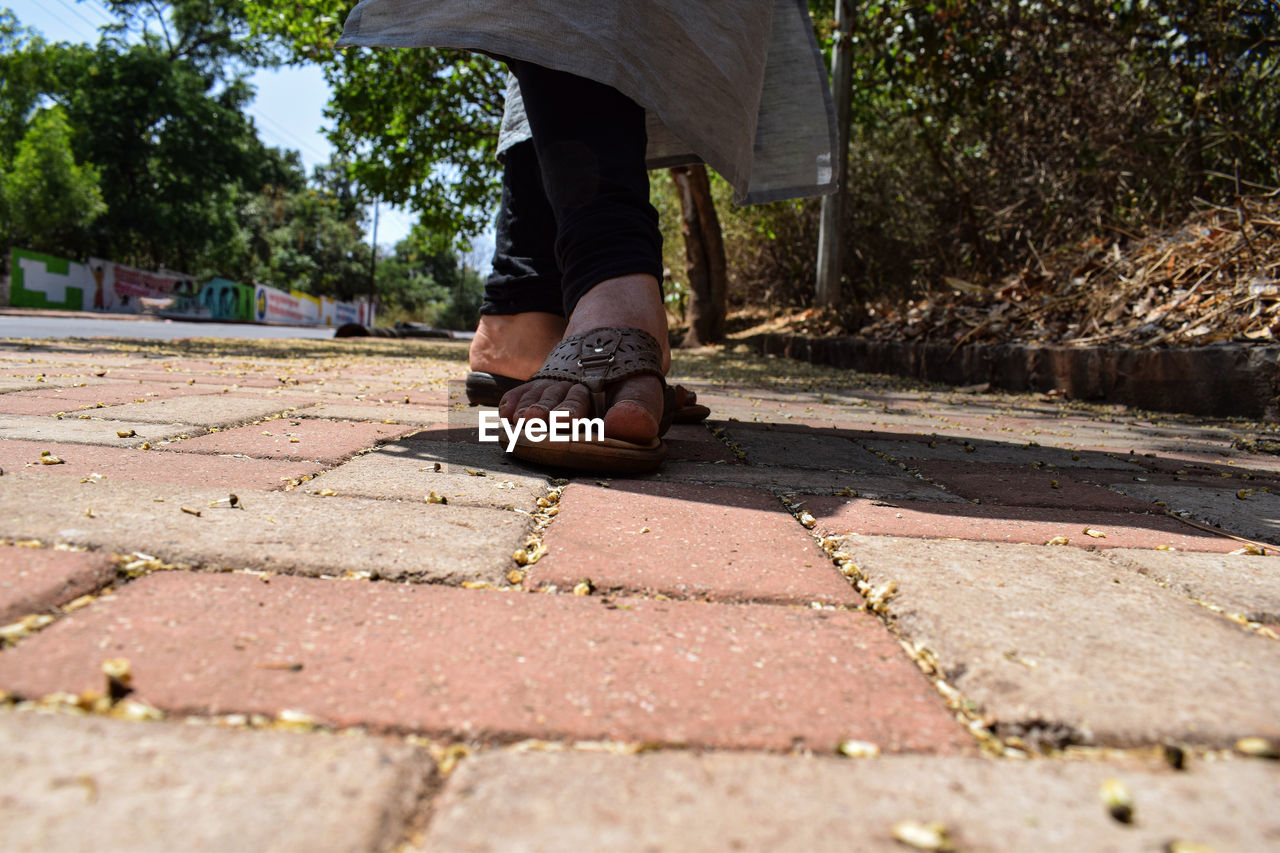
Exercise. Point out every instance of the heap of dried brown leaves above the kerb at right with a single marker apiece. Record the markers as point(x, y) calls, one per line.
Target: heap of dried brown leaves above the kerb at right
point(1215, 279)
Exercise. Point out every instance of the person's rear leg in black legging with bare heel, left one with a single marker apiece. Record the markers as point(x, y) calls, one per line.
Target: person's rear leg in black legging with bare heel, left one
point(523, 314)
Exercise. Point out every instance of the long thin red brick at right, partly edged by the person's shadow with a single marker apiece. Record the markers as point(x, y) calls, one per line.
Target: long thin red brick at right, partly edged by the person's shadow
point(985, 523)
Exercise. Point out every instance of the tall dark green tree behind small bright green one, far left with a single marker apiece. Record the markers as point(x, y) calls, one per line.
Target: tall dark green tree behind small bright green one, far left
point(157, 108)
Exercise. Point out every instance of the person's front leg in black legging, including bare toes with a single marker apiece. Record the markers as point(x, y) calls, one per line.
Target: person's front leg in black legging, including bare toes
point(591, 145)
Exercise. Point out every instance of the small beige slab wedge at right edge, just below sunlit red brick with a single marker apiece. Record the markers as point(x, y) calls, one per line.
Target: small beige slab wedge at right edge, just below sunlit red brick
point(1247, 586)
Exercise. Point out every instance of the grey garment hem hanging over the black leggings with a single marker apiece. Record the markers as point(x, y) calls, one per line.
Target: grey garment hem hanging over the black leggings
point(770, 134)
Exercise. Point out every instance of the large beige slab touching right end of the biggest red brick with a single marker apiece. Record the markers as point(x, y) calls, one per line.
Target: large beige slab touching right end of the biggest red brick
point(1057, 644)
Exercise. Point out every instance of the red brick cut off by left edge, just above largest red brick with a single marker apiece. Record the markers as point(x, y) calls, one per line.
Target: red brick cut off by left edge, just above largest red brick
point(35, 580)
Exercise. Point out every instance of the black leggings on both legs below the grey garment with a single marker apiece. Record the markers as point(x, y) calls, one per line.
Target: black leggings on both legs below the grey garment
point(575, 200)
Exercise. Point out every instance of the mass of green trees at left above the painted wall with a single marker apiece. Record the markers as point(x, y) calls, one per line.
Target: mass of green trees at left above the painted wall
point(150, 125)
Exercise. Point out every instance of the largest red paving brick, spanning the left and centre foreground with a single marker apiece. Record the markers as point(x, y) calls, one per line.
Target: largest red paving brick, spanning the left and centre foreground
point(500, 665)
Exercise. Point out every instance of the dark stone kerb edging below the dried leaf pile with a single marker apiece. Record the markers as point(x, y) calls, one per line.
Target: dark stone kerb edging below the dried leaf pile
point(1222, 381)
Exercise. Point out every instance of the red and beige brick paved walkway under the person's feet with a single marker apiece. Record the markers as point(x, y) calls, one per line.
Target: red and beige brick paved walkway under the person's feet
point(273, 596)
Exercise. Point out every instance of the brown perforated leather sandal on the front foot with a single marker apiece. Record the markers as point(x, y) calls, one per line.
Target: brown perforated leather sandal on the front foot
point(600, 359)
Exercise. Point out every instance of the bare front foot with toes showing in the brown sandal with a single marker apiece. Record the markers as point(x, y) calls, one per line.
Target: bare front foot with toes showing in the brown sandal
point(634, 405)
